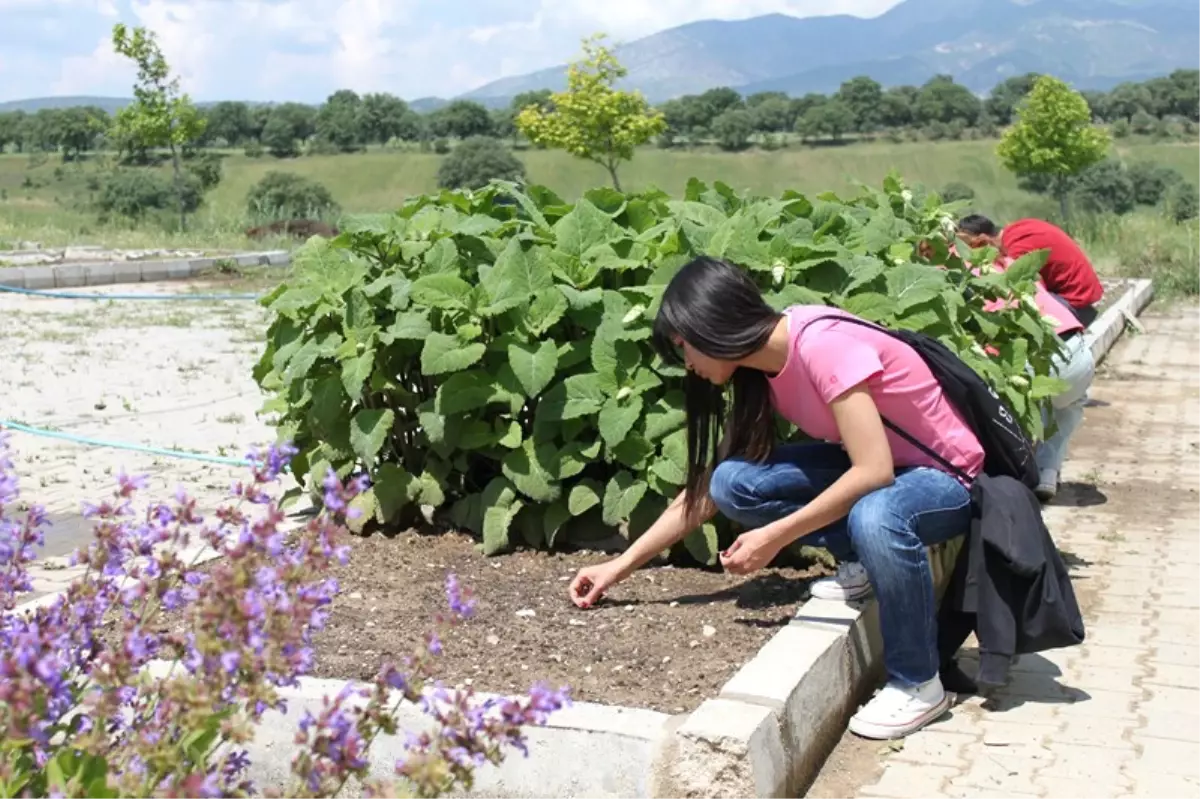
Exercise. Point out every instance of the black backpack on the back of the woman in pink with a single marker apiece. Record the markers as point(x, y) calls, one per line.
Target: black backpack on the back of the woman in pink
point(1007, 450)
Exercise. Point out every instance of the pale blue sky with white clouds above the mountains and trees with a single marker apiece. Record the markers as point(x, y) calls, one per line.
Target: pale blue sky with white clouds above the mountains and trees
point(305, 50)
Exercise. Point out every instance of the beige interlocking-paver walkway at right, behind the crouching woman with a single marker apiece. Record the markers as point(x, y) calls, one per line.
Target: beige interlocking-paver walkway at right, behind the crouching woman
point(1120, 716)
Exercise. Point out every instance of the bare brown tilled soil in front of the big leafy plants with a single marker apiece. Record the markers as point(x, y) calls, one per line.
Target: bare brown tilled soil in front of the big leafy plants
point(667, 639)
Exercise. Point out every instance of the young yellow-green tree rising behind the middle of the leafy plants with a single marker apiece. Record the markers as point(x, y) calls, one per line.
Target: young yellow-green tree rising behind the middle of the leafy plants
point(592, 119)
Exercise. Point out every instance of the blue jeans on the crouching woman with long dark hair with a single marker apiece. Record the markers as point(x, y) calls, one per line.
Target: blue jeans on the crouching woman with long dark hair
point(887, 531)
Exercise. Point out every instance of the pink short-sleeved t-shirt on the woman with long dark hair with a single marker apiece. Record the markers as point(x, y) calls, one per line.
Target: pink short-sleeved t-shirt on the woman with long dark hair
point(833, 357)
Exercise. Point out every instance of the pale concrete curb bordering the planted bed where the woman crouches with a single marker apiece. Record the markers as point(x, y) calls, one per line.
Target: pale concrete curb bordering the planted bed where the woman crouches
point(765, 736)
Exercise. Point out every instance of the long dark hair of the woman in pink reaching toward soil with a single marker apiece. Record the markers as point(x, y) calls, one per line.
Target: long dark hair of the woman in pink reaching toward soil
point(716, 308)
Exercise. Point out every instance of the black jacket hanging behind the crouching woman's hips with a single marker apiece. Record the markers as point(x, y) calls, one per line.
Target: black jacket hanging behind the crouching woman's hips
point(1010, 585)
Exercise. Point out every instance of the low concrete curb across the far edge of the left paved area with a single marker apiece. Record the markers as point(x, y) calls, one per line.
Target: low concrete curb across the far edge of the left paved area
point(61, 277)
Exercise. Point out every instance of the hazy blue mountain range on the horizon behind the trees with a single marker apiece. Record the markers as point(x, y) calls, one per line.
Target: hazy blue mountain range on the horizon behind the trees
point(1090, 44)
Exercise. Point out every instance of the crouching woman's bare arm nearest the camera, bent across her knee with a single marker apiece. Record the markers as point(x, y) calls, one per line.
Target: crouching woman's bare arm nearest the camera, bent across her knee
point(872, 467)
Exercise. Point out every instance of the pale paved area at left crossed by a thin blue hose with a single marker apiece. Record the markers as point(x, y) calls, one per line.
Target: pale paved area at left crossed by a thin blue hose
point(170, 375)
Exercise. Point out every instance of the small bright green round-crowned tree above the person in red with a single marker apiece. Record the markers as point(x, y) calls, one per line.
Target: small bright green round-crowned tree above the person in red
point(1054, 139)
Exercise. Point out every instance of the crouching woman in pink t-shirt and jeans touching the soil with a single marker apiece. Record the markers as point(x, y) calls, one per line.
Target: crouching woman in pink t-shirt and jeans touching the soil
point(871, 498)
